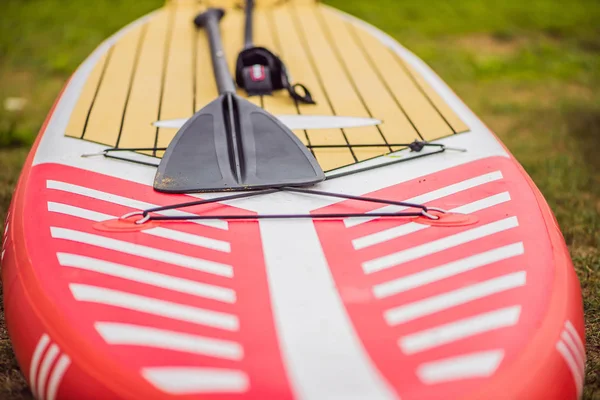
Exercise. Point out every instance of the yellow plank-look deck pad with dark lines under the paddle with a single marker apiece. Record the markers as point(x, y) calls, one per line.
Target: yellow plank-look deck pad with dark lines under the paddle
point(161, 70)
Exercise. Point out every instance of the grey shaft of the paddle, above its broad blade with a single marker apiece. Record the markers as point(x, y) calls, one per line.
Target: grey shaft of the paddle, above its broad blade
point(209, 20)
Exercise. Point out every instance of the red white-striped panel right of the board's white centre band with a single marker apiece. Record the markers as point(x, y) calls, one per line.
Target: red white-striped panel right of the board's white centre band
point(440, 309)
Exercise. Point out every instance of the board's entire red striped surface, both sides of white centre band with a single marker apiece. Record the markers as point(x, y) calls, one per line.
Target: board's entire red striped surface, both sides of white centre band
point(427, 302)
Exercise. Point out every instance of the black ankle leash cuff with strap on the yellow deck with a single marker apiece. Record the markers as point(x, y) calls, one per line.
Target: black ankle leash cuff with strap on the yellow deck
point(259, 71)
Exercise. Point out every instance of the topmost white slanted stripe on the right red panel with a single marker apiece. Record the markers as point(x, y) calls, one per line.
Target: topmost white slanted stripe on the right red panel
point(431, 196)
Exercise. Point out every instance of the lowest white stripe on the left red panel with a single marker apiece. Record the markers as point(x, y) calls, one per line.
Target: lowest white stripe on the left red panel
point(190, 380)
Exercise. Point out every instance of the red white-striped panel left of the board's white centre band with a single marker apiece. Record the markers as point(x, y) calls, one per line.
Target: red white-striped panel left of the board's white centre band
point(212, 290)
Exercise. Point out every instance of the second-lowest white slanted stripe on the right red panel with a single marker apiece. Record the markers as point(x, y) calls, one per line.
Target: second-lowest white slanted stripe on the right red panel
point(457, 330)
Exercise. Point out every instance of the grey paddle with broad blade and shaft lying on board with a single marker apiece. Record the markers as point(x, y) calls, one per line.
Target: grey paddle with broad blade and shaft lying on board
point(231, 144)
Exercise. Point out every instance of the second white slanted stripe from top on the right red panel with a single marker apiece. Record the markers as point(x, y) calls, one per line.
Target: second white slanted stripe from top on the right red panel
point(411, 227)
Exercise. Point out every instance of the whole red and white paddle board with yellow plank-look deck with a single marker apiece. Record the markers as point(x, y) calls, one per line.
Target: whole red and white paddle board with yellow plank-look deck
point(416, 261)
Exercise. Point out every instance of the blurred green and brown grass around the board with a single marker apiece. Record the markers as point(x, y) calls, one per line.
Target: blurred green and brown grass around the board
point(529, 69)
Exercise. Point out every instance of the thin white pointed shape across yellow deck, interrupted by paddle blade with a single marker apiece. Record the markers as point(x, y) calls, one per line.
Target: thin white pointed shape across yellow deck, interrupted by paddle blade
point(297, 122)
